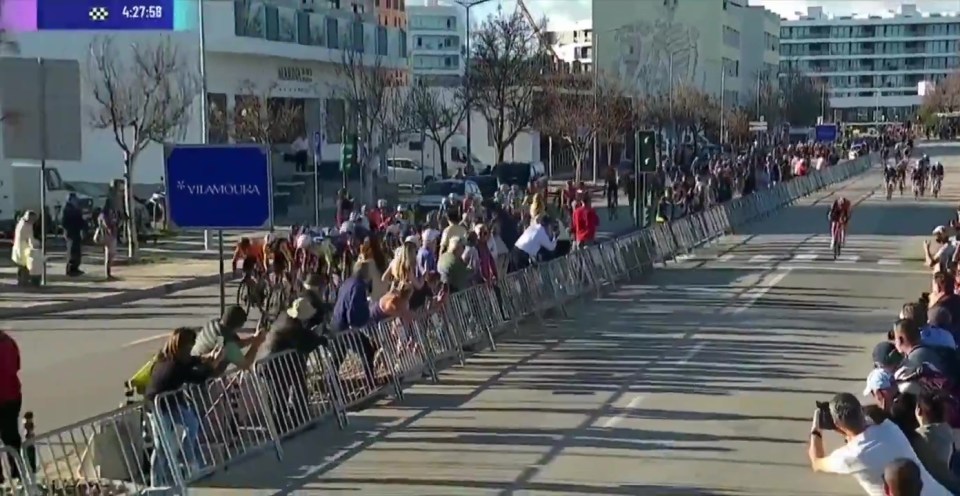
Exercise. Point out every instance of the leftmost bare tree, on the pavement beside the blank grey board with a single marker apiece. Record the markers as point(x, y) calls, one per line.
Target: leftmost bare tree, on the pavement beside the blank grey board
point(142, 95)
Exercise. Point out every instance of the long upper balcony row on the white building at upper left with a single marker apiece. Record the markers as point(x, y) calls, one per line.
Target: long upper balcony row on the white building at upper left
point(285, 32)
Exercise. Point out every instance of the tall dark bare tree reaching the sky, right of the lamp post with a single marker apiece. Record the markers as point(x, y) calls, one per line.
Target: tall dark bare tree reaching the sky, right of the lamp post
point(506, 76)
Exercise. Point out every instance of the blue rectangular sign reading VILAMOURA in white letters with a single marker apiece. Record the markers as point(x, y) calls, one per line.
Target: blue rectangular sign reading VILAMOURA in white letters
point(218, 186)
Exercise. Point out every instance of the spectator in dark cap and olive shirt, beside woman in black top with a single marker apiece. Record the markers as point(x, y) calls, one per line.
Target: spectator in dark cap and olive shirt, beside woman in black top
point(222, 333)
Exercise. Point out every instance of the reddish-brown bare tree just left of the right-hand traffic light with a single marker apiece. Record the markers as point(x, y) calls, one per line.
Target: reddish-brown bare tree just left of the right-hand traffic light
point(580, 117)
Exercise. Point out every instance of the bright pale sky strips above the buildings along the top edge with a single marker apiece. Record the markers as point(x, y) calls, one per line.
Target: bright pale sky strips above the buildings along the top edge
point(562, 13)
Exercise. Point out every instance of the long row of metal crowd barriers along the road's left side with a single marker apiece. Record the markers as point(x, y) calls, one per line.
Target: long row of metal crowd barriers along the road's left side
point(186, 435)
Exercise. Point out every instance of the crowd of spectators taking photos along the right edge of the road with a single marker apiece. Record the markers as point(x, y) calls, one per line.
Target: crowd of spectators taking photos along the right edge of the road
point(903, 443)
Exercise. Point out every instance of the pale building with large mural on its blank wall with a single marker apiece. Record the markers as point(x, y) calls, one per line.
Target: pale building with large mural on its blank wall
point(707, 43)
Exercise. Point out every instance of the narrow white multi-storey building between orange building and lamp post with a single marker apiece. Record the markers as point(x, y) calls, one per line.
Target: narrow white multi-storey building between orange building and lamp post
point(437, 43)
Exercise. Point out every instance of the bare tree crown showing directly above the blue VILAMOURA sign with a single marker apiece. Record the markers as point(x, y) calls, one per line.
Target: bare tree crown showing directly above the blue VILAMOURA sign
point(258, 116)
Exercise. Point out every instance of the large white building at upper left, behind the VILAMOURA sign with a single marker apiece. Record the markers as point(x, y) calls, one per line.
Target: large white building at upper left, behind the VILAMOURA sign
point(289, 50)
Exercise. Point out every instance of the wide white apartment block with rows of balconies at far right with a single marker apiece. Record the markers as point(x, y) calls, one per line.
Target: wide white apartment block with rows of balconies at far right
point(873, 63)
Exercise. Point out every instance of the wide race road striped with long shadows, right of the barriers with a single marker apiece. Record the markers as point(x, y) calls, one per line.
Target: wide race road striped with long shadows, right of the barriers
point(698, 380)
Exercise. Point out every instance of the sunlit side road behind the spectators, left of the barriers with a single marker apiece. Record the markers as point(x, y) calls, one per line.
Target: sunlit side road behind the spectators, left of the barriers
point(75, 363)
